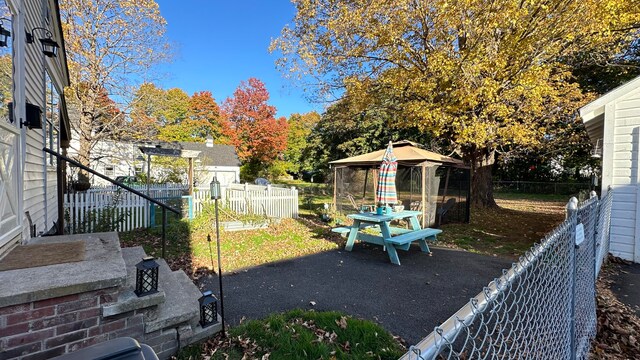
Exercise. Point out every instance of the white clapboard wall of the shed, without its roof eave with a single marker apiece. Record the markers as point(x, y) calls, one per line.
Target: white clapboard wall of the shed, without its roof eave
point(624, 177)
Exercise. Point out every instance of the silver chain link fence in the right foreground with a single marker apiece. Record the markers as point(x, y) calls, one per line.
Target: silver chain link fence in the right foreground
point(544, 307)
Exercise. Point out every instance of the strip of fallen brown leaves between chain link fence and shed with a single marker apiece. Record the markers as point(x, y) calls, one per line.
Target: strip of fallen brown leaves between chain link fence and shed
point(618, 324)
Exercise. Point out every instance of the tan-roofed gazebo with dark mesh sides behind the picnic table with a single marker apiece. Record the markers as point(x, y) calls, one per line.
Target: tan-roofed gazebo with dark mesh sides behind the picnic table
point(425, 181)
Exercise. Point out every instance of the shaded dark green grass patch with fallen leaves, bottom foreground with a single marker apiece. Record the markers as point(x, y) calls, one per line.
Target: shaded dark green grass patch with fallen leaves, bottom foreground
point(300, 334)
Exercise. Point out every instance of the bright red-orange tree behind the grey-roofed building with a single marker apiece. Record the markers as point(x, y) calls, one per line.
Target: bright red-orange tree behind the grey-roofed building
point(251, 126)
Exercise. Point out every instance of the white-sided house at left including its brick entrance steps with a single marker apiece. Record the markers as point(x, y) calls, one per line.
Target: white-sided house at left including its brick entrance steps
point(59, 294)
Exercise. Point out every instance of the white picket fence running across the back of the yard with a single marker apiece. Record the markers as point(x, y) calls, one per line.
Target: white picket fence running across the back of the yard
point(99, 207)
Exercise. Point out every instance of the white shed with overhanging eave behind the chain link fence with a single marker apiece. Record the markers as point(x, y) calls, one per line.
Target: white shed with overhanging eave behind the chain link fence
point(613, 125)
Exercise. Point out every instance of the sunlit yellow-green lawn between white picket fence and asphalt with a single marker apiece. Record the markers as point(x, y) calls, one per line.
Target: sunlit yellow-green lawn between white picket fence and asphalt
point(188, 248)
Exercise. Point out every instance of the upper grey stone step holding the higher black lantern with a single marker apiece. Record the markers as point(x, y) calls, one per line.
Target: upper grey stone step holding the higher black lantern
point(127, 299)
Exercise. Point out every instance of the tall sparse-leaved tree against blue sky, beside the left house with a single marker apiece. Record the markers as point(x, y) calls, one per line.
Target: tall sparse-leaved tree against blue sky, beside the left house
point(111, 46)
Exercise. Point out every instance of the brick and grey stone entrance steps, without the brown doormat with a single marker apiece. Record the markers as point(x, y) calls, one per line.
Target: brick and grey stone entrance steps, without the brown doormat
point(74, 305)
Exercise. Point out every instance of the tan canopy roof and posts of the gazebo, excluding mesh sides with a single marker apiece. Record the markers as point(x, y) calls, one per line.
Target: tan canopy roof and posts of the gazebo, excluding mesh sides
point(410, 155)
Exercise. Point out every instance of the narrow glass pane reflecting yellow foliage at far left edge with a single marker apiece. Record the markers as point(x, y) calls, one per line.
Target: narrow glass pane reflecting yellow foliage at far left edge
point(6, 65)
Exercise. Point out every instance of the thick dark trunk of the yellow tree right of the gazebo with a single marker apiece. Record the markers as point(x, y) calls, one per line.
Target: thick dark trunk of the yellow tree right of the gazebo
point(481, 180)
